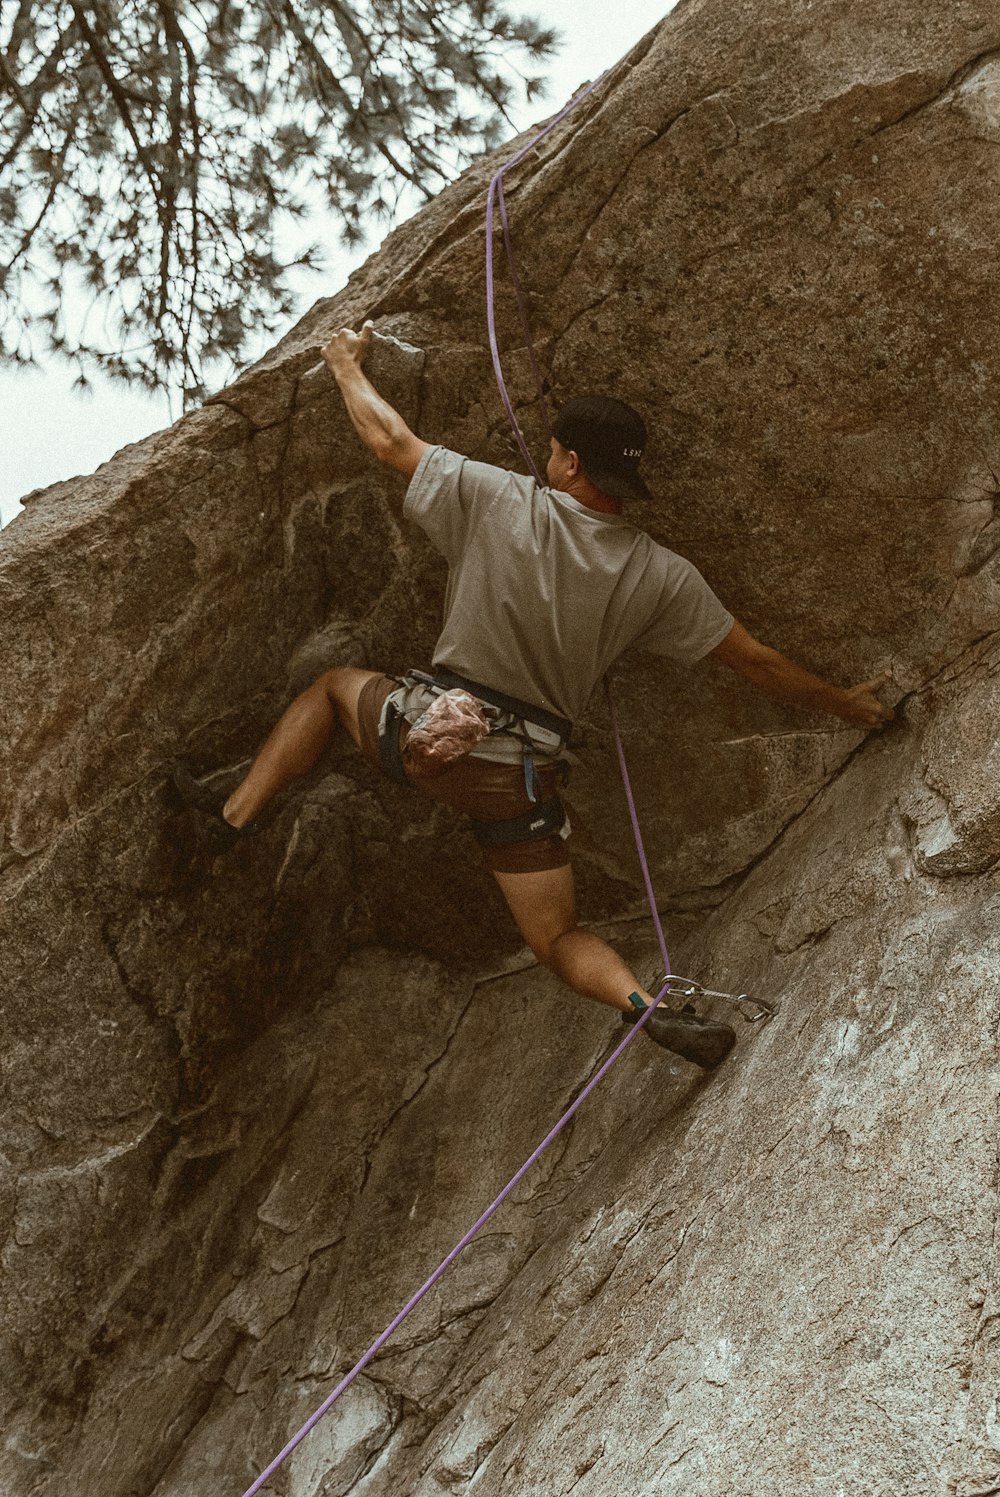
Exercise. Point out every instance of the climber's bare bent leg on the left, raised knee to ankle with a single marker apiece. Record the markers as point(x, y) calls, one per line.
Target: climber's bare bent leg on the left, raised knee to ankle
point(299, 740)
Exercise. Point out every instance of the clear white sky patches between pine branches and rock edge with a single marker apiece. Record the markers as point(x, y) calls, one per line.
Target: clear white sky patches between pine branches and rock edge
point(49, 432)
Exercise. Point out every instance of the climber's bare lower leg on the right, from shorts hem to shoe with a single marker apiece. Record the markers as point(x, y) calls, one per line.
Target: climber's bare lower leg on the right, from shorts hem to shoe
point(544, 905)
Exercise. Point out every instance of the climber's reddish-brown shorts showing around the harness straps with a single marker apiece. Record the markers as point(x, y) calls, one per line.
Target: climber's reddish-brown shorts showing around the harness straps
point(483, 790)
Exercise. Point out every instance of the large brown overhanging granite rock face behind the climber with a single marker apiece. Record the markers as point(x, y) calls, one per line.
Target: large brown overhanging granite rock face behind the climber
point(249, 1104)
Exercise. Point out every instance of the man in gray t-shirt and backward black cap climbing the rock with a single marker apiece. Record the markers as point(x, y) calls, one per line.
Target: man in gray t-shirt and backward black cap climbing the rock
point(547, 588)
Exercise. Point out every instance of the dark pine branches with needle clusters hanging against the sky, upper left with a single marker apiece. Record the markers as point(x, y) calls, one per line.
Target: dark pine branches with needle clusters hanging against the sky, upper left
point(152, 149)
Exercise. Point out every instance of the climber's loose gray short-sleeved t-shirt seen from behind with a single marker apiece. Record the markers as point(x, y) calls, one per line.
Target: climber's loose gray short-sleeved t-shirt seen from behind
point(546, 594)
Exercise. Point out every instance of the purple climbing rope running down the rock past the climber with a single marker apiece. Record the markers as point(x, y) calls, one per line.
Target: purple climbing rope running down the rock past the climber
point(496, 192)
